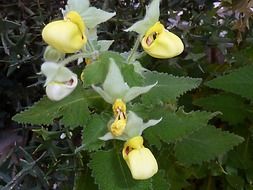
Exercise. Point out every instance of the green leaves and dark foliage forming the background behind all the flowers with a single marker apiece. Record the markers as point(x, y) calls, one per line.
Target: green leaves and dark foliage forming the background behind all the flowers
point(204, 97)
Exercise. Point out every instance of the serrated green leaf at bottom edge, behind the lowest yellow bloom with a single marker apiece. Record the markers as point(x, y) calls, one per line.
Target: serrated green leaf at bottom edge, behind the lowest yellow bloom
point(111, 172)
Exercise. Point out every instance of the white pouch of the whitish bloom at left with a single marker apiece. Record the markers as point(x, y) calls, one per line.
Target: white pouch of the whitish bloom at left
point(58, 90)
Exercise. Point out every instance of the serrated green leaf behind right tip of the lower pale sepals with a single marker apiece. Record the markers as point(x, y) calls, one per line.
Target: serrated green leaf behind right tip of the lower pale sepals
point(176, 125)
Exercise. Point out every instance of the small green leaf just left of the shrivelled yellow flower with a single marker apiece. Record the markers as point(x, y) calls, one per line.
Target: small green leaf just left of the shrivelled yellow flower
point(96, 127)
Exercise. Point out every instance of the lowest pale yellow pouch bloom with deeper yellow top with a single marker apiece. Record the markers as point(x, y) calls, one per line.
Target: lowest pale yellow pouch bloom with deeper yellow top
point(139, 159)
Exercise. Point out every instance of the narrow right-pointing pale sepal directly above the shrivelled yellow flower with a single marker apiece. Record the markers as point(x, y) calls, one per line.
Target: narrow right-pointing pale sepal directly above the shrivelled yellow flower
point(136, 91)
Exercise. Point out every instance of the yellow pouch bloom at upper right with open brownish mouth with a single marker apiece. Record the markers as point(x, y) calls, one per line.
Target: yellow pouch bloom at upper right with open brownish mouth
point(160, 43)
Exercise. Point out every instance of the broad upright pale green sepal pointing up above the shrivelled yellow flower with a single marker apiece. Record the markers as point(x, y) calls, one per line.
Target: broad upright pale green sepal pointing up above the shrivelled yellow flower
point(114, 83)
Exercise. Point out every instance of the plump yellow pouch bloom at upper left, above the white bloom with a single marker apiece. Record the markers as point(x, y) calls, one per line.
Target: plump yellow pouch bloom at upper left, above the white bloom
point(66, 35)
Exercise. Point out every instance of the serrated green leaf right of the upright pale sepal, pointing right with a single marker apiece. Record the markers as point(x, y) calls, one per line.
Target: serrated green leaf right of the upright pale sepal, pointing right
point(169, 87)
